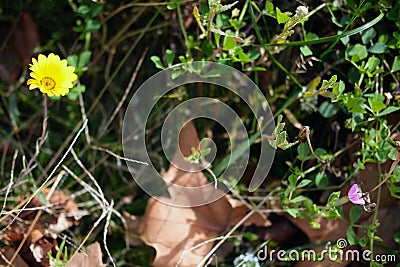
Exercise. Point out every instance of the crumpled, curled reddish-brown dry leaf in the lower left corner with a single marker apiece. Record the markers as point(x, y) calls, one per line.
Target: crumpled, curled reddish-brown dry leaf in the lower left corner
point(55, 218)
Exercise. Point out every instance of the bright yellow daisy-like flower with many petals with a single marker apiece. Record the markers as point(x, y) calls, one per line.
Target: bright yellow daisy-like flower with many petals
point(51, 75)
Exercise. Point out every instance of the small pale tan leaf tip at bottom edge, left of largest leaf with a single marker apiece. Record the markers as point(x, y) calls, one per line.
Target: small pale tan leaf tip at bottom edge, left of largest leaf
point(93, 257)
